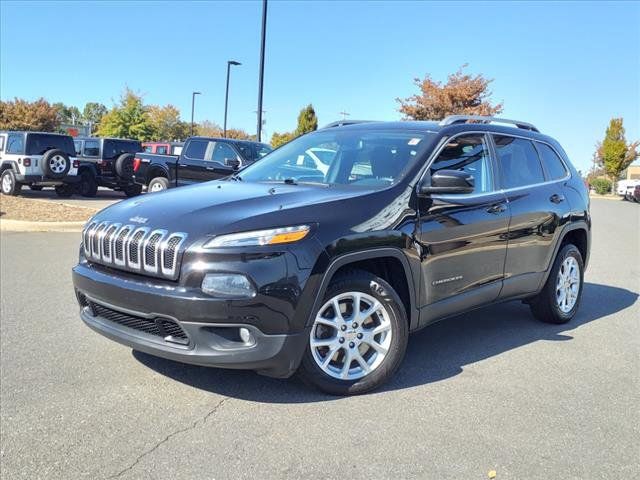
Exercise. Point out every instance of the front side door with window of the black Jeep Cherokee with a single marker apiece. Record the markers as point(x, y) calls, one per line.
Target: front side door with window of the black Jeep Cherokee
point(463, 236)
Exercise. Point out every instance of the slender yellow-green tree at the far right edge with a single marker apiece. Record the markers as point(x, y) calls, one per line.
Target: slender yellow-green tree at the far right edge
point(614, 154)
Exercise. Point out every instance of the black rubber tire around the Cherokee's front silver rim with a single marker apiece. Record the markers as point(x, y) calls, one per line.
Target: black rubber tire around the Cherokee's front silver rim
point(364, 282)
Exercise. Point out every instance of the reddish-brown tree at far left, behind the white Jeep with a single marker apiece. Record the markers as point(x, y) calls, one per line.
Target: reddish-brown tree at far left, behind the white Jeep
point(32, 116)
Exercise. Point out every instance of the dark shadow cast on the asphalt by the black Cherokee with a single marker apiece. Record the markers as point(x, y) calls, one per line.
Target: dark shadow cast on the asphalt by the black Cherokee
point(436, 353)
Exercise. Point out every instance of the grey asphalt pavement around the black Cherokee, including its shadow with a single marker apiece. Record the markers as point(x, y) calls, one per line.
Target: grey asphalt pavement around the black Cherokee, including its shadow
point(490, 390)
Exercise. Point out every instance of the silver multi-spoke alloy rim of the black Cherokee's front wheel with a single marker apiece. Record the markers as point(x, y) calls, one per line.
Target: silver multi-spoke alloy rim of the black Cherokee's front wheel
point(351, 335)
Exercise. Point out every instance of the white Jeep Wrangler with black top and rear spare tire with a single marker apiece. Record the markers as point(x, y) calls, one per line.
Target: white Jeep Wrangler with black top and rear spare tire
point(39, 160)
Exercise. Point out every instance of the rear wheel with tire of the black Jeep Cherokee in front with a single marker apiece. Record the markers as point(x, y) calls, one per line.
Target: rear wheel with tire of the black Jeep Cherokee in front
point(559, 300)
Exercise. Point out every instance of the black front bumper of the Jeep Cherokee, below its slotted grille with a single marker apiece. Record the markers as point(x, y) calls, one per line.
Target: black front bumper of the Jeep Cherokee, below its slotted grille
point(209, 326)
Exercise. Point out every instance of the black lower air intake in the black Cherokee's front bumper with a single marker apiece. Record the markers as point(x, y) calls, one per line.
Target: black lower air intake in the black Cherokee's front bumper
point(160, 327)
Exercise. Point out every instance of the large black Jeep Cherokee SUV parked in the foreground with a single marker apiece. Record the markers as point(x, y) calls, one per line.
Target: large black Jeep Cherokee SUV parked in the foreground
point(291, 267)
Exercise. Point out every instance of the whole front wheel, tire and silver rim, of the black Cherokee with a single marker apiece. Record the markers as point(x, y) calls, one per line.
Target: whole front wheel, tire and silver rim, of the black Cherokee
point(358, 338)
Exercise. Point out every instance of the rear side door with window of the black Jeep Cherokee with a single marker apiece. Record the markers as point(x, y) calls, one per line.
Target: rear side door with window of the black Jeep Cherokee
point(538, 210)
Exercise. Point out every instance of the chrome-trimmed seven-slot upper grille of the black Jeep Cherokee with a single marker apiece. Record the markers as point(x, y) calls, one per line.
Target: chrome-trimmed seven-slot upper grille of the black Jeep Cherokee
point(135, 249)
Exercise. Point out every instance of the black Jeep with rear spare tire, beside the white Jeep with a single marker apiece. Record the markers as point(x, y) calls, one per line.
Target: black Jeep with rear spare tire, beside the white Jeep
point(107, 162)
